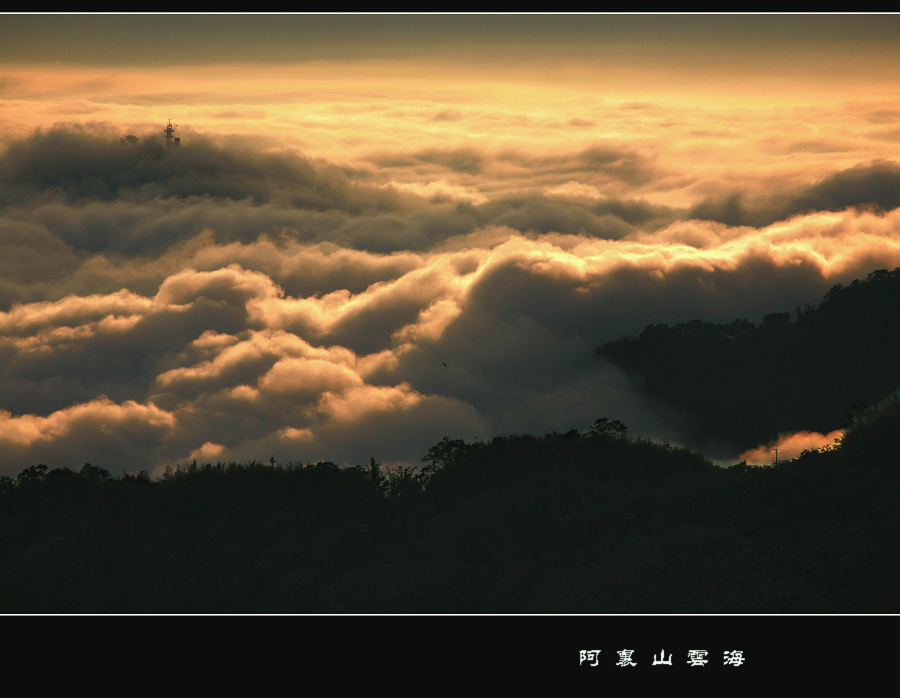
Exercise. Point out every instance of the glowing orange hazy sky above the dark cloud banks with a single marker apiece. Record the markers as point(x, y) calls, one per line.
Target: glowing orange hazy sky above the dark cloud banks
point(787, 101)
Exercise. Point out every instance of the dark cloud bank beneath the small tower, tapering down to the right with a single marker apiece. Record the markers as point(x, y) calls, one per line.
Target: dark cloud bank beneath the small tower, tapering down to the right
point(81, 164)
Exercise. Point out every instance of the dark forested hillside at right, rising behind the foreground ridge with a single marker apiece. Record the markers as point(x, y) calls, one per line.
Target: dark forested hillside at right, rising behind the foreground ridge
point(742, 384)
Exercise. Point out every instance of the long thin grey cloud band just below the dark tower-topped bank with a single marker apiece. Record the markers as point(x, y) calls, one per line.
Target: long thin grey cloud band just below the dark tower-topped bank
point(152, 227)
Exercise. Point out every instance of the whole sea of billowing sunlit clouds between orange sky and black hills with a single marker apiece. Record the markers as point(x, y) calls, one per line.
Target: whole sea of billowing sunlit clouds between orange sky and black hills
point(229, 303)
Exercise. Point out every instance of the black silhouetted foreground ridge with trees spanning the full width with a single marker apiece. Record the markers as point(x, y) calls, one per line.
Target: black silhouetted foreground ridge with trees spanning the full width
point(575, 523)
